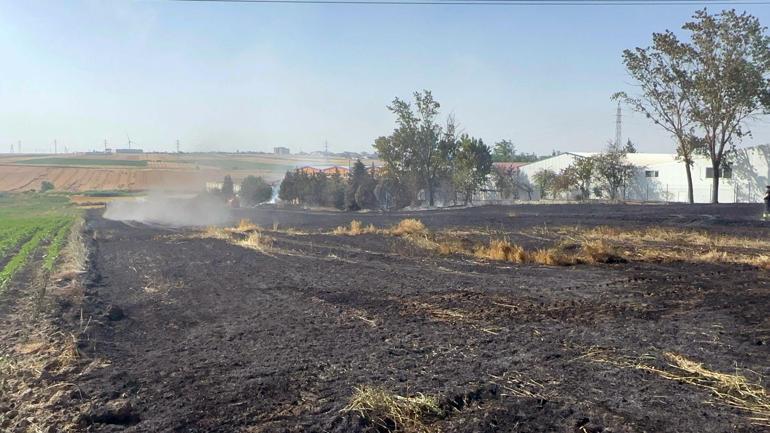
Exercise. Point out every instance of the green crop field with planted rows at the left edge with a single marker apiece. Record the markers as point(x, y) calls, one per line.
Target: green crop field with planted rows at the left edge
point(29, 224)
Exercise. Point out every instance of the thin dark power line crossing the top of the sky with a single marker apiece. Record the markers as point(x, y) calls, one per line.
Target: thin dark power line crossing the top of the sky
point(497, 2)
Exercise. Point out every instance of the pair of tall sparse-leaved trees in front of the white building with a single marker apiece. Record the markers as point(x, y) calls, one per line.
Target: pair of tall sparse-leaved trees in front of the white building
point(703, 90)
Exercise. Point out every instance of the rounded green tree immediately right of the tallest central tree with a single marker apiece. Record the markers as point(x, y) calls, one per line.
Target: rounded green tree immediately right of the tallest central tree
point(471, 166)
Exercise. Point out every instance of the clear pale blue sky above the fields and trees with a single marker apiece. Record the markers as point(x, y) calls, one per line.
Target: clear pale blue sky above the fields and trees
point(253, 76)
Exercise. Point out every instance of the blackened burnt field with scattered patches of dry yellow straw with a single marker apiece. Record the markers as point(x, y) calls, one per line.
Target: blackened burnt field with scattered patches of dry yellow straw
point(292, 327)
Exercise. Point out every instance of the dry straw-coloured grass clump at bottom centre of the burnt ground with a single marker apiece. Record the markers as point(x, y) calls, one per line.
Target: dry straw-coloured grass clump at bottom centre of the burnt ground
point(392, 412)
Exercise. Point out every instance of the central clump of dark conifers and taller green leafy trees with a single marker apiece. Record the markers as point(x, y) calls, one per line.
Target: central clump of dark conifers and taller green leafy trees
point(426, 162)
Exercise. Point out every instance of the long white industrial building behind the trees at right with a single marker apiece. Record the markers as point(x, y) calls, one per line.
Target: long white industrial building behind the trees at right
point(661, 177)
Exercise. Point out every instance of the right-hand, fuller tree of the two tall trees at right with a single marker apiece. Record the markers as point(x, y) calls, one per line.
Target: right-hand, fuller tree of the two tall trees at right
point(729, 55)
